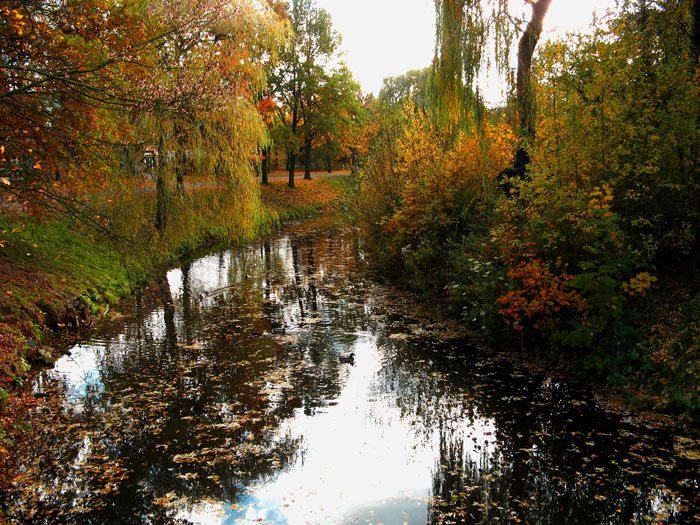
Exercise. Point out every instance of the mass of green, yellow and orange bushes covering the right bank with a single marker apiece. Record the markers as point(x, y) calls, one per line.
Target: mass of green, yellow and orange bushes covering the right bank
point(566, 259)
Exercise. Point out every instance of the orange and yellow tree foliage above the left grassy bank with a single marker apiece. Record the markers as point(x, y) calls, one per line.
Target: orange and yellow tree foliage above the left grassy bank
point(91, 89)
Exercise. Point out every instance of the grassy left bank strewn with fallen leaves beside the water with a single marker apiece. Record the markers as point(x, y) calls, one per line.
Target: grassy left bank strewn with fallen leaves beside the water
point(57, 274)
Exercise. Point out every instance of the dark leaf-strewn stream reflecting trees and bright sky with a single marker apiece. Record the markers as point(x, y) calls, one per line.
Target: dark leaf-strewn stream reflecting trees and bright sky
point(218, 396)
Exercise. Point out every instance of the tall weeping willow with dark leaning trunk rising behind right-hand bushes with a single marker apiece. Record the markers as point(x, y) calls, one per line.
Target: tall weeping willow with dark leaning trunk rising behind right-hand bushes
point(465, 28)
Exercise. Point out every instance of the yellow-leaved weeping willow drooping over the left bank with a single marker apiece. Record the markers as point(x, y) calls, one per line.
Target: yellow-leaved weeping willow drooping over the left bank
point(200, 113)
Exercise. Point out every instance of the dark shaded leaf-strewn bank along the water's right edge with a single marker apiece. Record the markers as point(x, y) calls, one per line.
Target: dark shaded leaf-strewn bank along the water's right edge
point(654, 380)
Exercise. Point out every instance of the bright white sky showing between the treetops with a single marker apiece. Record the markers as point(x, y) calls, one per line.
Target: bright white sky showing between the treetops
point(383, 38)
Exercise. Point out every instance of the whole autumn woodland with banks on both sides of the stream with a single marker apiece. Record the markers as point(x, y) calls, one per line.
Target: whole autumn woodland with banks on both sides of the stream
point(563, 225)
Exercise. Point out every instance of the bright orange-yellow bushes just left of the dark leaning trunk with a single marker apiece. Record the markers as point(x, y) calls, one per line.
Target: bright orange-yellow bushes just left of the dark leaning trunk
point(421, 183)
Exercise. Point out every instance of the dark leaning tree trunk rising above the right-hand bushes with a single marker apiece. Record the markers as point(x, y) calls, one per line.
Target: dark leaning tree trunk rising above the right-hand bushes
point(524, 93)
